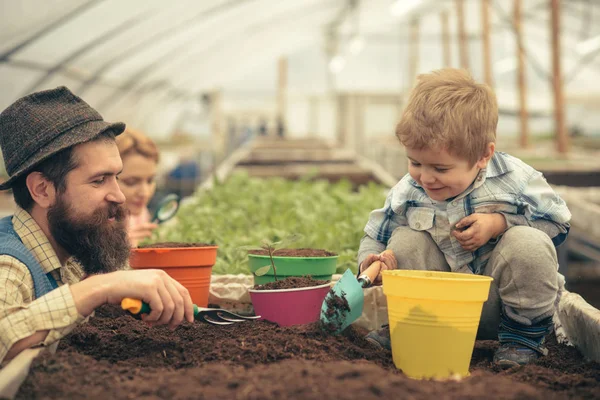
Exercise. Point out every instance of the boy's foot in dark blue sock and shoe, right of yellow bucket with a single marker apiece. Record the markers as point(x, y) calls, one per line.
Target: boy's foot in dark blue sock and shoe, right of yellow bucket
point(521, 344)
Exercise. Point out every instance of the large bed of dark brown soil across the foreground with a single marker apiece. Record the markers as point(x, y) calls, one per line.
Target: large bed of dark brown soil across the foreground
point(118, 357)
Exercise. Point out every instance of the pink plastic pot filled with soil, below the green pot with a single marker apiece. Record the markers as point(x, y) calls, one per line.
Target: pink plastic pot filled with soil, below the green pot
point(288, 307)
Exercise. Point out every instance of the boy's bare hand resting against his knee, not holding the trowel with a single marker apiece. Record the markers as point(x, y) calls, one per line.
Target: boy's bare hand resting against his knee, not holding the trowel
point(477, 229)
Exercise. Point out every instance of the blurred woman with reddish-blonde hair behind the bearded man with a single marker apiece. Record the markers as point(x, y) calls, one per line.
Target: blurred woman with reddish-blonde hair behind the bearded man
point(138, 182)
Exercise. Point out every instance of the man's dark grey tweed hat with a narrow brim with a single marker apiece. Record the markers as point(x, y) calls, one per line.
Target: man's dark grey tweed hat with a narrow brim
point(41, 124)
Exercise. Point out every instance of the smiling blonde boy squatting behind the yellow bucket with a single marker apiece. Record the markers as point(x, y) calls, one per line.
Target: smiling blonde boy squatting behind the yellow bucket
point(465, 208)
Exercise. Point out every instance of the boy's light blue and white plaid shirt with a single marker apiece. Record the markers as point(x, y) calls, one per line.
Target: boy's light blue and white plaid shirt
point(507, 186)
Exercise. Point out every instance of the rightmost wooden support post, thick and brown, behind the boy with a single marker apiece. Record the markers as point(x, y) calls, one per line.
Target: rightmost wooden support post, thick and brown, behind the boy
point(557, 83)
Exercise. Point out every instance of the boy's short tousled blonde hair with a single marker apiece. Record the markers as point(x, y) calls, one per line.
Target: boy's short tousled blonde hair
point(448, 110)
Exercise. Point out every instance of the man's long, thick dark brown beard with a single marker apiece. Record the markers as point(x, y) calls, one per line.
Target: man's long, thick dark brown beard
point(98, 244)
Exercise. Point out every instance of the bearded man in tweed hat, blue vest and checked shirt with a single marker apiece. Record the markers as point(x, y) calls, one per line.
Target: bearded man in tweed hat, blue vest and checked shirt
point(63, 252)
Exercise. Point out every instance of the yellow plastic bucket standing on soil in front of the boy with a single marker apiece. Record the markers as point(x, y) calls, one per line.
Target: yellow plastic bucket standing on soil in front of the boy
point(433, 320)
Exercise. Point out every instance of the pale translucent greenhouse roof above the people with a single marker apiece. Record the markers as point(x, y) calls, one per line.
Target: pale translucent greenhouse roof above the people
point(148, 59)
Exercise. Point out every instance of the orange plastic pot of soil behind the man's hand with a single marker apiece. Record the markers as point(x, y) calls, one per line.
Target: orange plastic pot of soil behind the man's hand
point(190, 266)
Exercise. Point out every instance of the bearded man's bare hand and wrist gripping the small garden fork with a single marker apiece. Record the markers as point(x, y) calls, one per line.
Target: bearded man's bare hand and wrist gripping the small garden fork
point(169, 300)
